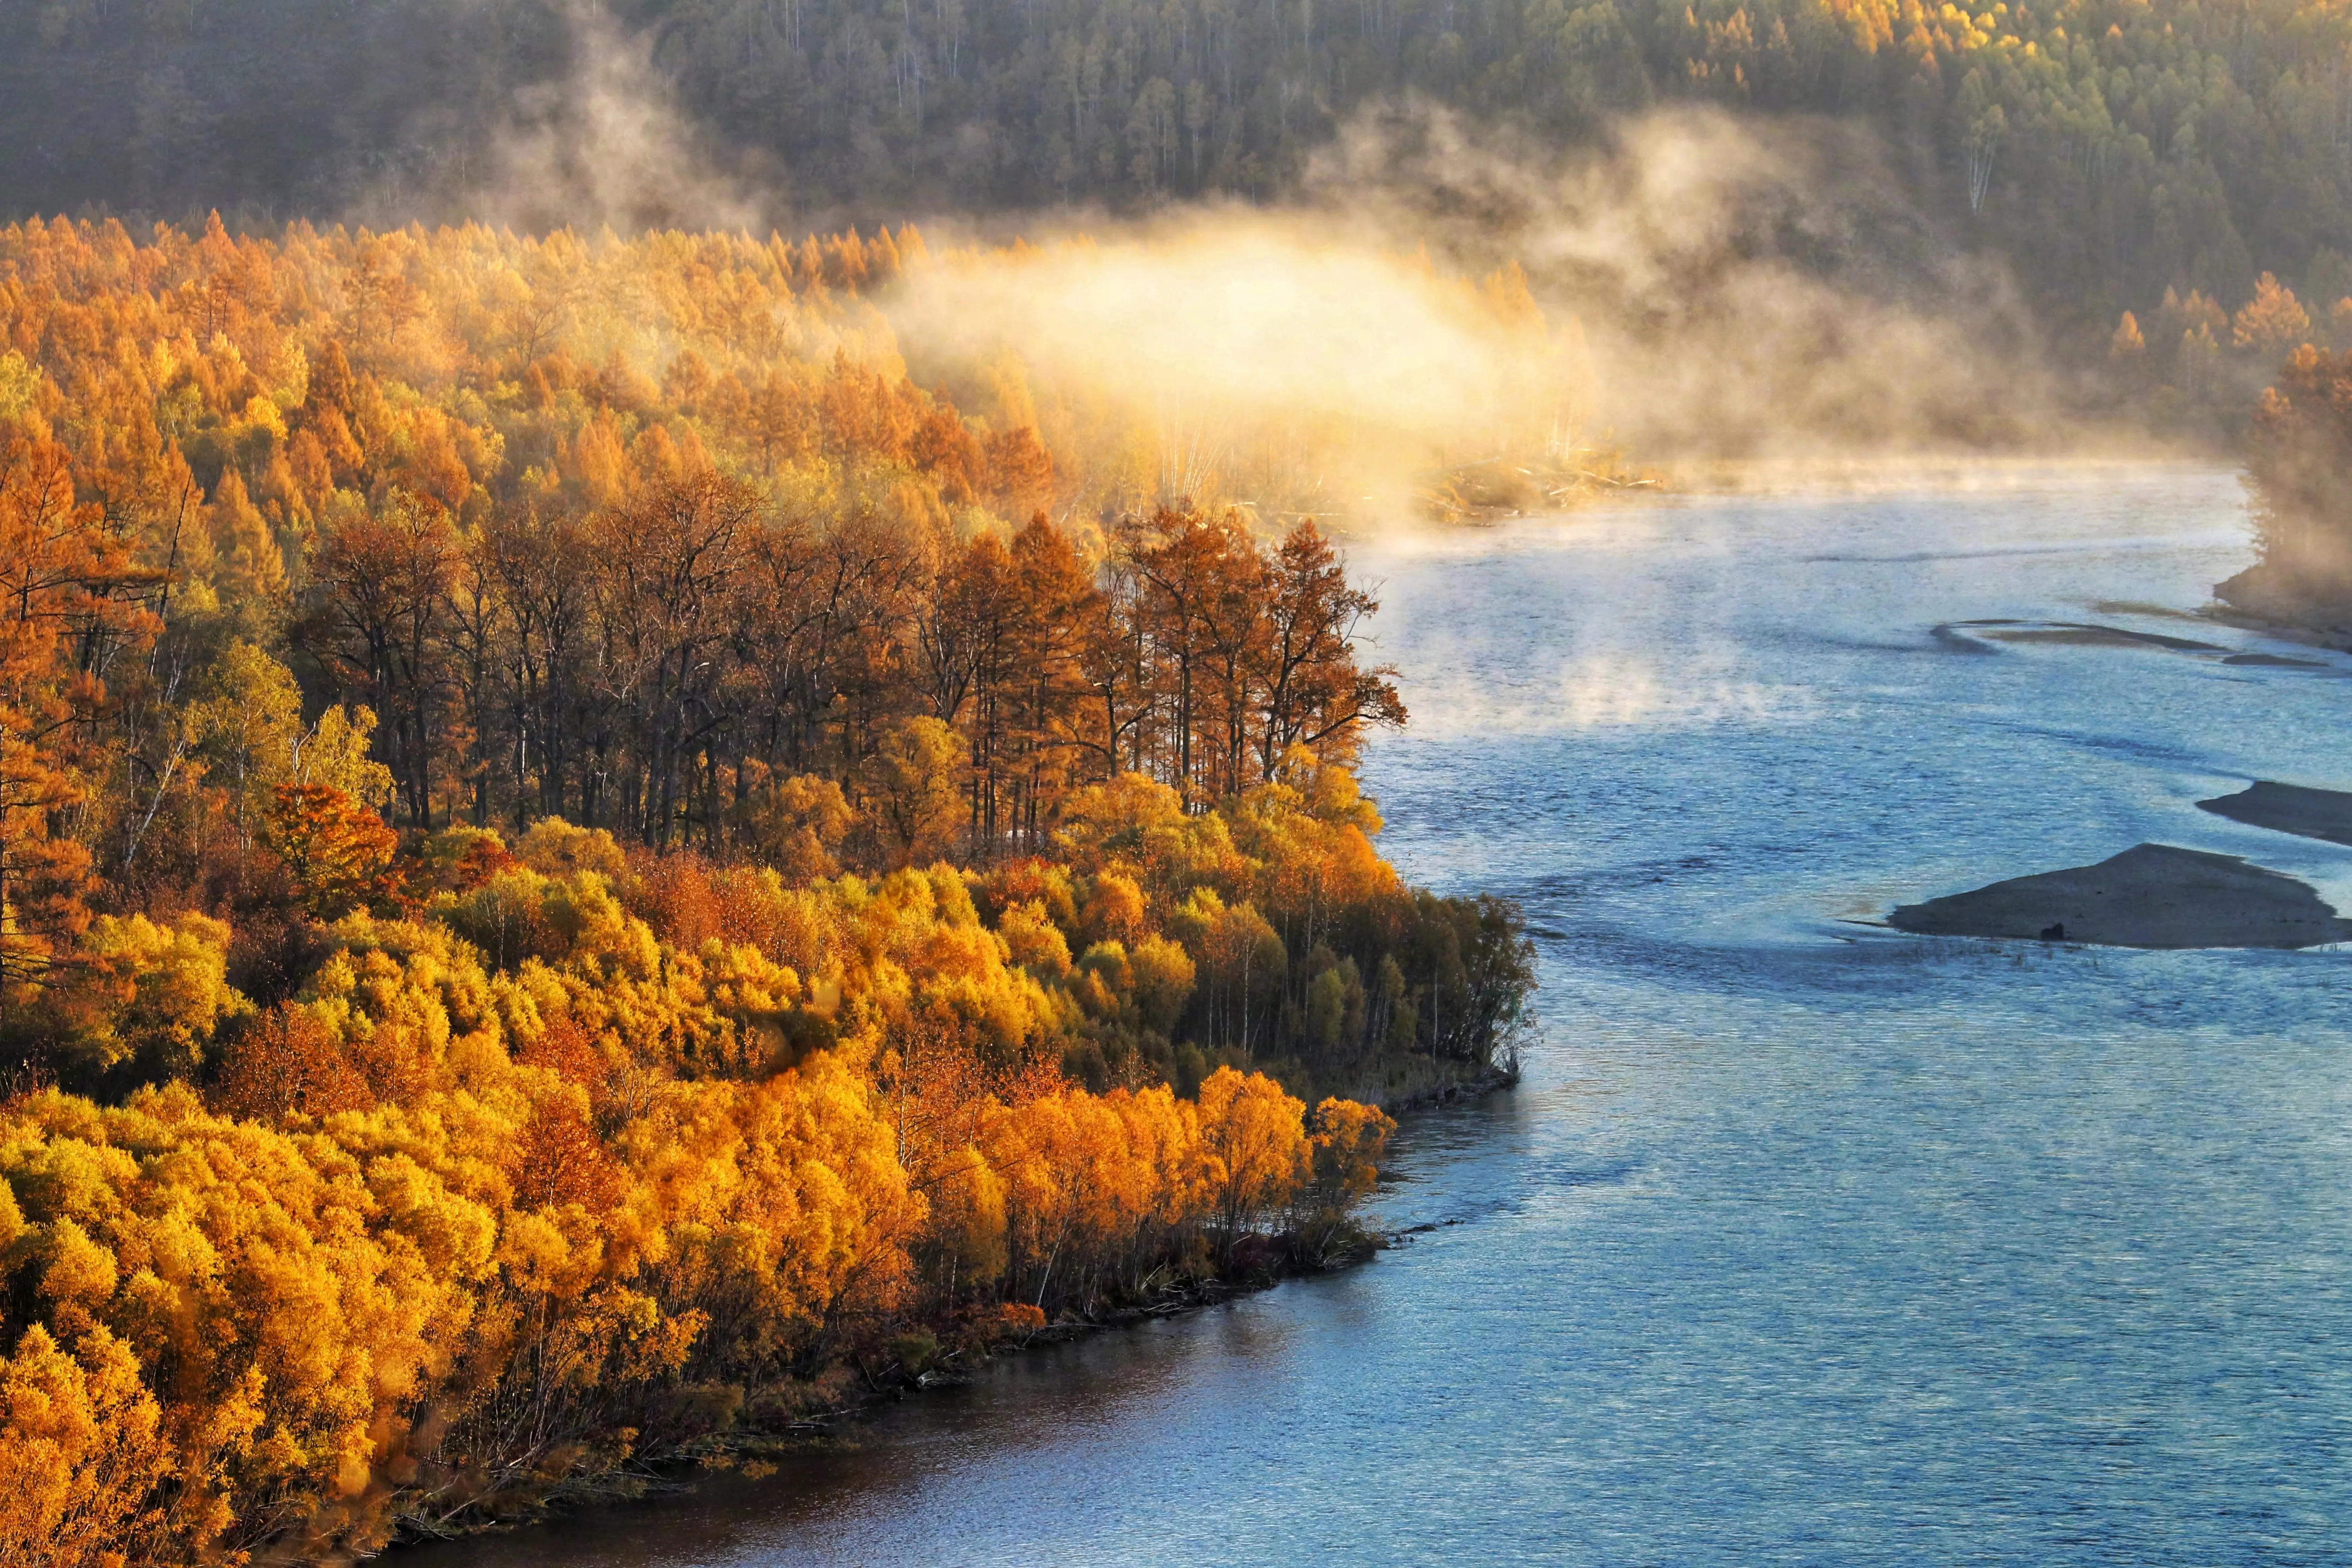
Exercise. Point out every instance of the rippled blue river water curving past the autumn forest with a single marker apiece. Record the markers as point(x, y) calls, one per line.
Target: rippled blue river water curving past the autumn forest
point(1805, 1242)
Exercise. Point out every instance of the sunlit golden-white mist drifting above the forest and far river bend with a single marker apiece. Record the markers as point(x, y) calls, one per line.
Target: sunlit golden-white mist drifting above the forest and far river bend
point(1441, 293)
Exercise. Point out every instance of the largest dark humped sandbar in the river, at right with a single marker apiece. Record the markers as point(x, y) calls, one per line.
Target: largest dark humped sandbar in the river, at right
point(2149, 897)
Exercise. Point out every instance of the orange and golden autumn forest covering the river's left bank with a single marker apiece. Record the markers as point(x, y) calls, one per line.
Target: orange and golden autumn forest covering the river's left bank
point(589, 871)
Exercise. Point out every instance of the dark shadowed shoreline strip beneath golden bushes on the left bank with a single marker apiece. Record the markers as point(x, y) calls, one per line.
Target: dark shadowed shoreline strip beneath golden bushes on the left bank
point(1274, 1261)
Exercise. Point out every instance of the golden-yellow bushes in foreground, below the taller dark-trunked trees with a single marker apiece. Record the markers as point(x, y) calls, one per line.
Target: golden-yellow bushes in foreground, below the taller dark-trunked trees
point(519, 1186)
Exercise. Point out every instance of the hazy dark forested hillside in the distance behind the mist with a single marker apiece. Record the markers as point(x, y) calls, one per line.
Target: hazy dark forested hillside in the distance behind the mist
point(2111, 147)
